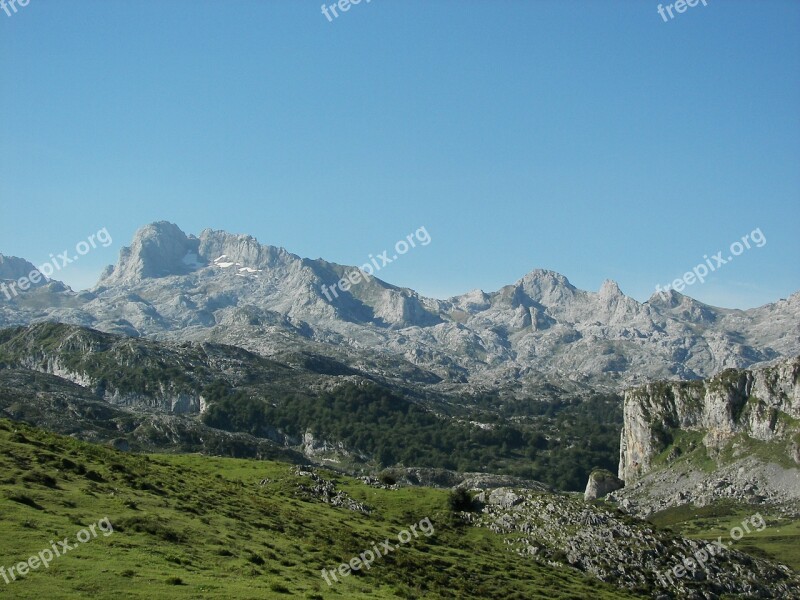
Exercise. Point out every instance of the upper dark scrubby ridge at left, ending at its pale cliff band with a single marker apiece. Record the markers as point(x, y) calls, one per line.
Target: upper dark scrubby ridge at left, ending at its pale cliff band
point(141, 373)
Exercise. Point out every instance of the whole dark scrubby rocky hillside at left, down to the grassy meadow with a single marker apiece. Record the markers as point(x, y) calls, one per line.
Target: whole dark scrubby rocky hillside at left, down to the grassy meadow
point(149, 395)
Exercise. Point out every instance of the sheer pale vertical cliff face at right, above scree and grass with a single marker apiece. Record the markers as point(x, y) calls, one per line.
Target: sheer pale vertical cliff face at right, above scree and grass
point(763, 405)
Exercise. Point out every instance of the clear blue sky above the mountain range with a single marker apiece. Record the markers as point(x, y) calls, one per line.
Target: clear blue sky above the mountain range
point(591, 138)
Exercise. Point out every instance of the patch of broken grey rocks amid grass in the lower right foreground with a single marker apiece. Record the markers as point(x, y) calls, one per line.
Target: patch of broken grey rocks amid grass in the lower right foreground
point(562, 531)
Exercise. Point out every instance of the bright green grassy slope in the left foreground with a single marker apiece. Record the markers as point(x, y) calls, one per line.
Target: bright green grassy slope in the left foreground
point(189, 526)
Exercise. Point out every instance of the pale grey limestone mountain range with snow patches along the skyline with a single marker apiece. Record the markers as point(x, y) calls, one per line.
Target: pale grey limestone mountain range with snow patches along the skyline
point(229, 288)
